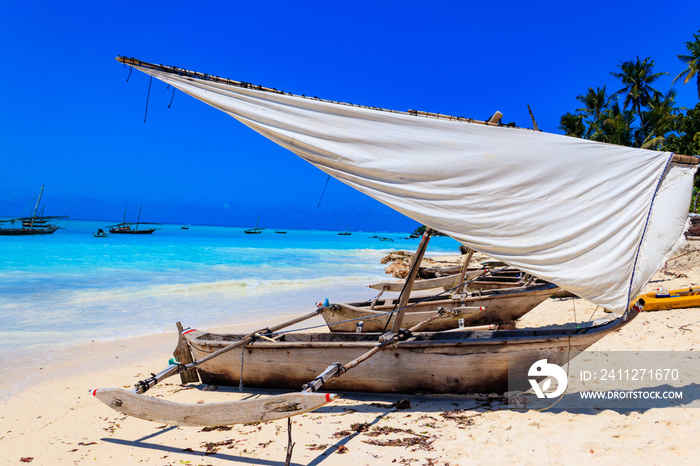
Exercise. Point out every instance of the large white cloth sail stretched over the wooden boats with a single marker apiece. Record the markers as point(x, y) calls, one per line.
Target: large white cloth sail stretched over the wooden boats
point(581, 214)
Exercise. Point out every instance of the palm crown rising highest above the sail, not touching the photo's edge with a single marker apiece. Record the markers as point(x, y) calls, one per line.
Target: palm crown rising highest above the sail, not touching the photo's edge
point(637, 78)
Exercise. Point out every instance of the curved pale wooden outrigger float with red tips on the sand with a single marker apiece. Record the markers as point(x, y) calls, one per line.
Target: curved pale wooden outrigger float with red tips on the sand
point(212, 414)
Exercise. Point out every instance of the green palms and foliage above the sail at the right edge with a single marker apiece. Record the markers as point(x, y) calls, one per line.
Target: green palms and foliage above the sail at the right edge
point(647, 117)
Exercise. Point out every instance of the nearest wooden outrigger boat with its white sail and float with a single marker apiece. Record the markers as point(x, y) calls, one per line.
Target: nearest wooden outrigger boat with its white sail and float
point(595, 219)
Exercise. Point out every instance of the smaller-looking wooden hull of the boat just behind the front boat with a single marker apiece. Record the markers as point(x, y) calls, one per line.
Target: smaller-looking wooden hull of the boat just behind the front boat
point(501, 306)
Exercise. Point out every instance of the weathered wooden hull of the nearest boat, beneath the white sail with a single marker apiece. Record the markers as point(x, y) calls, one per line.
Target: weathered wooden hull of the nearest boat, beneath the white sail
point(448, 362)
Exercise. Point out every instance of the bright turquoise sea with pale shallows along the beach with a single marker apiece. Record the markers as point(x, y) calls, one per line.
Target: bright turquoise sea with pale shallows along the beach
point(69, 288)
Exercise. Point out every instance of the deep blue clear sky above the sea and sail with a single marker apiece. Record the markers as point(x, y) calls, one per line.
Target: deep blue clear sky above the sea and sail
point(72, 122)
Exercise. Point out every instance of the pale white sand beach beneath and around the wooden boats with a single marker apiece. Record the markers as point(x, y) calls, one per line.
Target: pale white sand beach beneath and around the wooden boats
point(52, 419)
